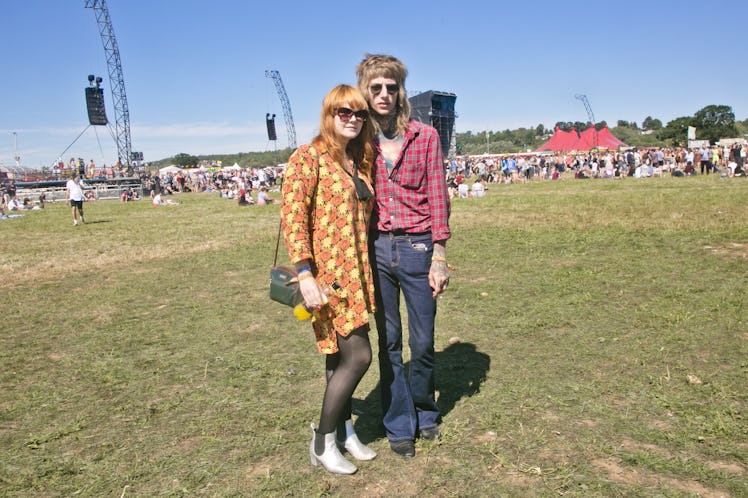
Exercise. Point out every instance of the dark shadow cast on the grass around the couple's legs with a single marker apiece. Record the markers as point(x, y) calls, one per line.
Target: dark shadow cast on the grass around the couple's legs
point(460, 370)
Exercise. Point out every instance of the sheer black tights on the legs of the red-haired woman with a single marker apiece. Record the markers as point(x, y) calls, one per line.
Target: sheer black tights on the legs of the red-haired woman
point(345, 369)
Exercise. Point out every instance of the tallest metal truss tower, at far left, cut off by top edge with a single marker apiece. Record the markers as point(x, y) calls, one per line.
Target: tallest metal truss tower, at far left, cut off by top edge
point(116, 80)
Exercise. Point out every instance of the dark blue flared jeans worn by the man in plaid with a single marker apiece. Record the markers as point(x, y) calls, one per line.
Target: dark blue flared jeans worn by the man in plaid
point(402, 262)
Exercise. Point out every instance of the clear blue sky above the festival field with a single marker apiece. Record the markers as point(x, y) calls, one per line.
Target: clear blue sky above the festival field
point(195, 70)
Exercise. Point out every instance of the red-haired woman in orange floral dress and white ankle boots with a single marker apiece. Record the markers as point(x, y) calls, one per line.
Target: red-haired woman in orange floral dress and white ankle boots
point(326, 204)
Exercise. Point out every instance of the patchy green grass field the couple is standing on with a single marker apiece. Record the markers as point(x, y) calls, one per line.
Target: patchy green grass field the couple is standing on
point(593, 342)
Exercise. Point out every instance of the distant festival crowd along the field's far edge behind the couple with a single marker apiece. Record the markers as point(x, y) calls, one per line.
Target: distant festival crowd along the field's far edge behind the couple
point(469, 176)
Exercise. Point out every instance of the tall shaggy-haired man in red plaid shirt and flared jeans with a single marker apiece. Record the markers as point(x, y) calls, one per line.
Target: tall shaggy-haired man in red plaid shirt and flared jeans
point(410, 230)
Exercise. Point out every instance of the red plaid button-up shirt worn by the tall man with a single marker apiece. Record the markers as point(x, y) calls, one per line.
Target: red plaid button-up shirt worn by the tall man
point(413, 197)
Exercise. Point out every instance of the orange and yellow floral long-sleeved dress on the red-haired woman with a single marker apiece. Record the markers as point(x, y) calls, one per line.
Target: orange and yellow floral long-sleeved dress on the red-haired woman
point(324, 221)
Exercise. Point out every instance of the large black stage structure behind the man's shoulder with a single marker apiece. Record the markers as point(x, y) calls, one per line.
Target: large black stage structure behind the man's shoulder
point(438, 110)
